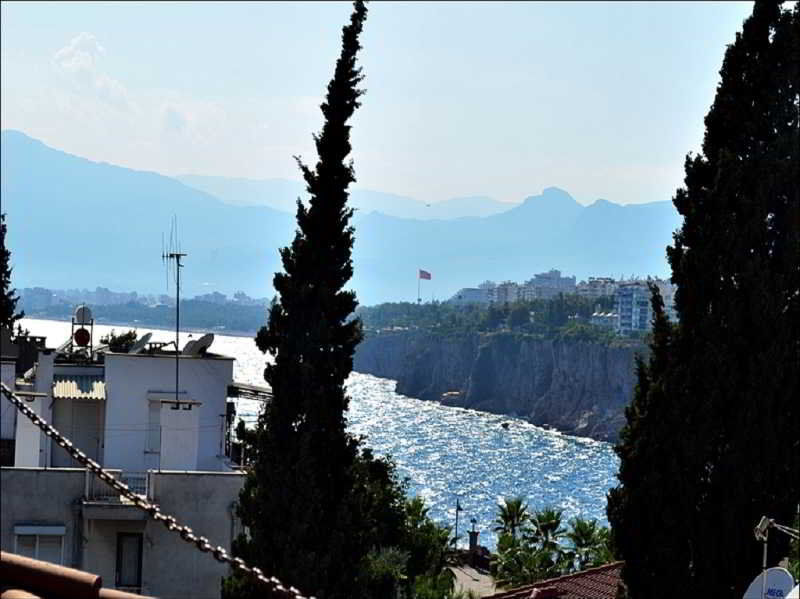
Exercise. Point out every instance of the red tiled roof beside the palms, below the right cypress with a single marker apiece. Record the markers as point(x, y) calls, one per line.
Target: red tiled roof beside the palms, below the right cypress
point(595, 583)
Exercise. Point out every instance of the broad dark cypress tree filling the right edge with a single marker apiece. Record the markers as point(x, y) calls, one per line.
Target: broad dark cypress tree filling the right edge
point(726, 380)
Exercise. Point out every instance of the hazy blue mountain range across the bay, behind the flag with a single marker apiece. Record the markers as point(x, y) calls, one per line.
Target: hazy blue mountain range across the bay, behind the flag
point(77, 223)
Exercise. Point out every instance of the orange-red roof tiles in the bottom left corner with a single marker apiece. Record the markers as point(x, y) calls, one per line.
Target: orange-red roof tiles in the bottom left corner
point(26, 578)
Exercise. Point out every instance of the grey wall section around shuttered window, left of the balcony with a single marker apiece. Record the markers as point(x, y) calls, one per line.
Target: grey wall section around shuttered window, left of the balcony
point(39, 496)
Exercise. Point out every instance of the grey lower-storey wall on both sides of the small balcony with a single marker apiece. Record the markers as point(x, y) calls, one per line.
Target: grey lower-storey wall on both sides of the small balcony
point(171, 568)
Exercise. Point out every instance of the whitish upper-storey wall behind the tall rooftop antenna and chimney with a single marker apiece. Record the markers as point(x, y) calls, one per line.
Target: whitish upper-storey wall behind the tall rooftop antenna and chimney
point(132, 380)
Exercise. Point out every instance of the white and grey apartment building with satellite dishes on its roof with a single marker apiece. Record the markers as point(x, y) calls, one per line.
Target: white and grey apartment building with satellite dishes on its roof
point(121, 410)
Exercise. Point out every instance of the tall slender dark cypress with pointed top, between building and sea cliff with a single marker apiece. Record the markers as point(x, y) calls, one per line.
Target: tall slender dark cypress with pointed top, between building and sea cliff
point(304, 500)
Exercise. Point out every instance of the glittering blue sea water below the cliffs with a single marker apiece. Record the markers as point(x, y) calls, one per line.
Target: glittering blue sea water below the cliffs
point(450, 456)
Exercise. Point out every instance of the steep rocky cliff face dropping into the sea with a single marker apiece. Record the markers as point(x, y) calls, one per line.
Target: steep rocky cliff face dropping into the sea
point(576, 387)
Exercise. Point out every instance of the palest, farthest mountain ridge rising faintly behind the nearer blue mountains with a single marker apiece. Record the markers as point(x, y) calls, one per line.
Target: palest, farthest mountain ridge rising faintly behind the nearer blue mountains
point(282, 194)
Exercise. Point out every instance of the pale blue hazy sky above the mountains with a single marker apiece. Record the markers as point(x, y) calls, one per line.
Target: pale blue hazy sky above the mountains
point(464, 98)
